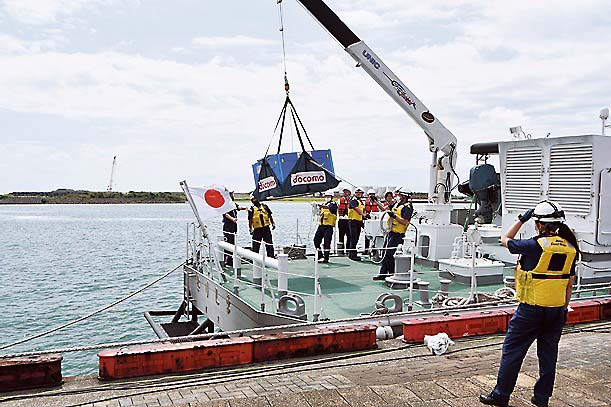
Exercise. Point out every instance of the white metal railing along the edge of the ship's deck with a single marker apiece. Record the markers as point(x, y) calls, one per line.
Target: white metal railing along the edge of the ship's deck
point(265, 269)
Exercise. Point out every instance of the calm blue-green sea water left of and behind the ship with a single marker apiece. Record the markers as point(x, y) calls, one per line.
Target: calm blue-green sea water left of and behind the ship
point(60, 262)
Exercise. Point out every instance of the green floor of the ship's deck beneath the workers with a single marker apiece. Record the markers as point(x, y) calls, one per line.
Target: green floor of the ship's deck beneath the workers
point(347, 287)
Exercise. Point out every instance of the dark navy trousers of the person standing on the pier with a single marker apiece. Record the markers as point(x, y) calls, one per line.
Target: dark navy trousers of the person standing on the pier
point(531, 322)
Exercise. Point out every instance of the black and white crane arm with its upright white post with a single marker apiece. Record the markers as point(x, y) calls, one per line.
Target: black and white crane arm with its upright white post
point(440, 138)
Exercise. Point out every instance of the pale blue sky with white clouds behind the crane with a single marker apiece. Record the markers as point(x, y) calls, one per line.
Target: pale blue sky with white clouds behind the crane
point(191, 89)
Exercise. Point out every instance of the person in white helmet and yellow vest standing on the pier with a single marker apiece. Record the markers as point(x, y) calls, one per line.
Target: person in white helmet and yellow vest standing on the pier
point(544, 280)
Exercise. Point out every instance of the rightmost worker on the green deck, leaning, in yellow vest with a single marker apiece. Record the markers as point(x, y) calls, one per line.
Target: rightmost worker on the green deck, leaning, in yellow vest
point(399, 215)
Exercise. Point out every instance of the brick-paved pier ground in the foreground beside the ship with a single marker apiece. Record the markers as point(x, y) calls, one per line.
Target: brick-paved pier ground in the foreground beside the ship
point(399, 375)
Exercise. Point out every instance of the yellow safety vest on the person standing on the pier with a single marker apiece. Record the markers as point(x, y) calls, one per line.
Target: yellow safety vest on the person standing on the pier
point(545, 285)
